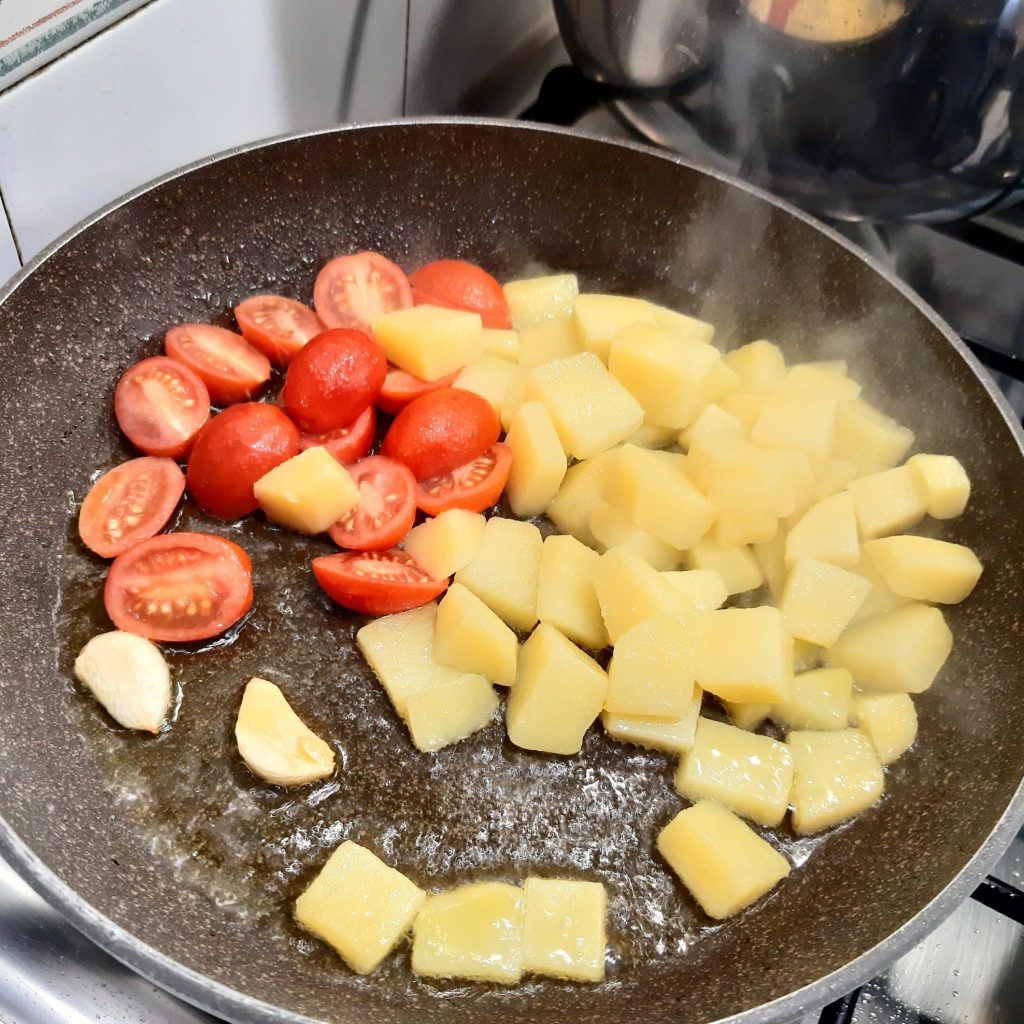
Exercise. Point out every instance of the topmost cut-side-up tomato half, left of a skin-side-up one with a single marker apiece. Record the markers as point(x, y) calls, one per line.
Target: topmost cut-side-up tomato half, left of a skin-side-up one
point(351, 291)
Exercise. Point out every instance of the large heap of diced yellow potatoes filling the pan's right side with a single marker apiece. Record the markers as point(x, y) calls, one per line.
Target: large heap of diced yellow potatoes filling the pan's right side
point(682, 481)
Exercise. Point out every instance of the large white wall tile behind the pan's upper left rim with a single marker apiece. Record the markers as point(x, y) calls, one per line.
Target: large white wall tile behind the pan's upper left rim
point(182, 79)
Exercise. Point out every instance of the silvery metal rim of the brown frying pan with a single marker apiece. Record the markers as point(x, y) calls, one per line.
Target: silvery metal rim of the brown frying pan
point(233, 1005)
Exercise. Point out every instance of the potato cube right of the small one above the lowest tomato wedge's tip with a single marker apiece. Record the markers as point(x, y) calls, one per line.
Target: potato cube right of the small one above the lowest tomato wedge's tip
point(504, 573)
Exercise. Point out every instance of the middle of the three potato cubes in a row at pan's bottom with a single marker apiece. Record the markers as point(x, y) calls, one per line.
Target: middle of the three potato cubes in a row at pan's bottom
point(474, 932)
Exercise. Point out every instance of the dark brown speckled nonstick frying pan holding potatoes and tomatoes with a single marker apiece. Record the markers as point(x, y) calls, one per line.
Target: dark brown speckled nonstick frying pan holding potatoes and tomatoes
point(166, 852)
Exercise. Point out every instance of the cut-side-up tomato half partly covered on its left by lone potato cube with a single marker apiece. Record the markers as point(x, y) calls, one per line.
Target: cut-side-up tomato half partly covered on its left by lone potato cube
point(387, 509)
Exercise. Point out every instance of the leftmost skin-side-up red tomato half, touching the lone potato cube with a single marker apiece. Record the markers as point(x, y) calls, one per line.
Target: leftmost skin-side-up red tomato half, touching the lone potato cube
point(234, 451)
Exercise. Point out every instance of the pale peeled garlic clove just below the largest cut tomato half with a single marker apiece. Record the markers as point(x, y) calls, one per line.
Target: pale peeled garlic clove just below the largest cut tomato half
point(130, 677)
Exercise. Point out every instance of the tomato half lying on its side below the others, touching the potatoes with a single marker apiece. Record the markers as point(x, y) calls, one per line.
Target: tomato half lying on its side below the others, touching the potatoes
point(376, 583)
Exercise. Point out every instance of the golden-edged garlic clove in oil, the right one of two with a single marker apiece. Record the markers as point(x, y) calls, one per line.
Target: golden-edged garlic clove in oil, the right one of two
point(275, 743)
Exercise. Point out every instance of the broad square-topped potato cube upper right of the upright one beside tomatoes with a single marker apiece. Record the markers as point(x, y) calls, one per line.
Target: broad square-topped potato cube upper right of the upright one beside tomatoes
point(590, 409)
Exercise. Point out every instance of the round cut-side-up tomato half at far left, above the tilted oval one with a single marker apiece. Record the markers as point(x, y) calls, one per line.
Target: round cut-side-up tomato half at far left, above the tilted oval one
point(160, 405)
